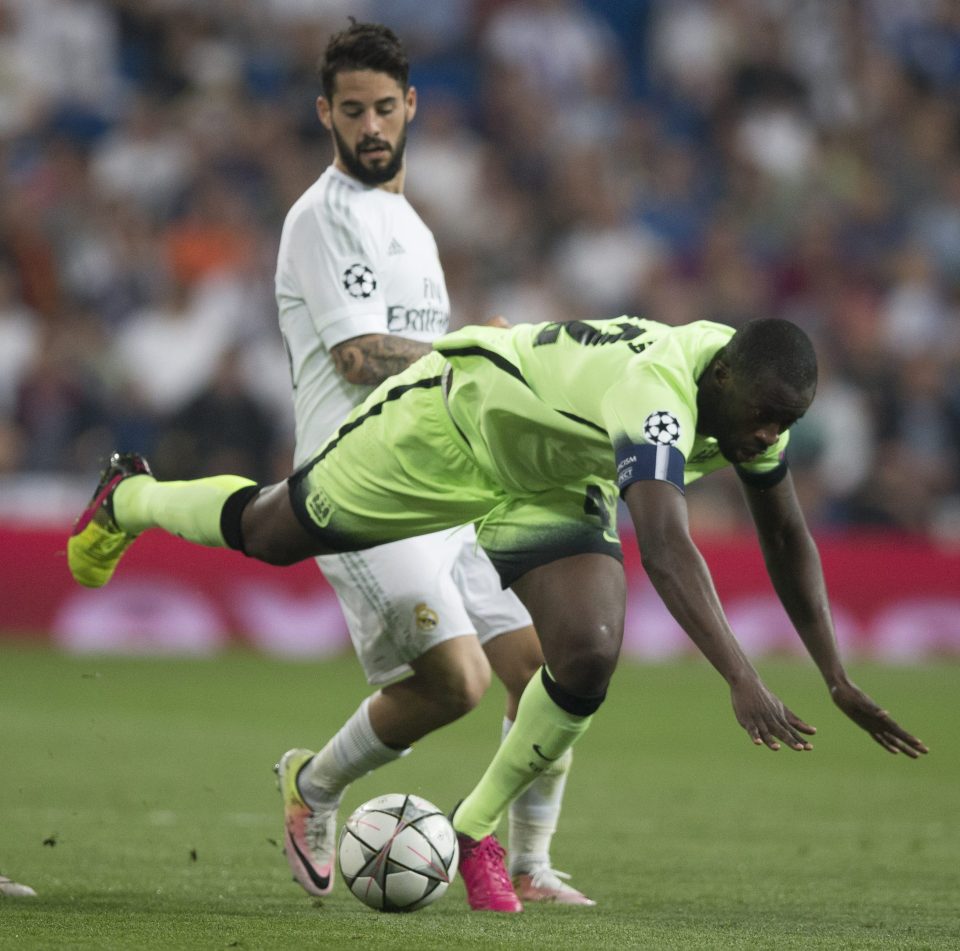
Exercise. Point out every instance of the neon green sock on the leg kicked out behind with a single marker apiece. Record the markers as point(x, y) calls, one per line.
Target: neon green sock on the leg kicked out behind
point(188, 509)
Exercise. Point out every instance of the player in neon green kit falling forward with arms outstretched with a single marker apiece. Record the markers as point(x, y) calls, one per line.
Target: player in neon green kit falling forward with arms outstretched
point(531, 433)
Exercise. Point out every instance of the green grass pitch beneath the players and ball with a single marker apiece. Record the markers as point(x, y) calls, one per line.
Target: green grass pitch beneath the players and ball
point(150, 783)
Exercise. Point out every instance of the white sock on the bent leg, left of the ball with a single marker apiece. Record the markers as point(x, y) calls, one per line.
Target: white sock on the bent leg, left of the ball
point(352, 752)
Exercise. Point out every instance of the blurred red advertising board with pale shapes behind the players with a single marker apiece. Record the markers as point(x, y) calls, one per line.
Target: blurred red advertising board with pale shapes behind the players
point(893, 598)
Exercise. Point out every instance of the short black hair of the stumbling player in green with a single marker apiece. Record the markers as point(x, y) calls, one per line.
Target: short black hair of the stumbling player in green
point(776, 345)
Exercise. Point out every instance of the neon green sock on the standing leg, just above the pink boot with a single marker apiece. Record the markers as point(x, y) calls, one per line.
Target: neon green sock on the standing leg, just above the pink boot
point(541, 734)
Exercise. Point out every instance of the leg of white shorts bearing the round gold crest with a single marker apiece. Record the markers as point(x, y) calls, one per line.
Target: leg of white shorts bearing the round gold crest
point(399, 600)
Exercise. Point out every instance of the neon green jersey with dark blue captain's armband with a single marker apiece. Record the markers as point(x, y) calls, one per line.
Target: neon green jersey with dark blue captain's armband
point(552, 404)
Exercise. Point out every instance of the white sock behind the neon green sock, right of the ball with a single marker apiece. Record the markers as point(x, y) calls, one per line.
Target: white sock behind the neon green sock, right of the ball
point(535, 813)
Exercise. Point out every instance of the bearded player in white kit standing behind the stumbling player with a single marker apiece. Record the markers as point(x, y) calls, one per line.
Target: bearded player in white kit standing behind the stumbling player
point(361, 294)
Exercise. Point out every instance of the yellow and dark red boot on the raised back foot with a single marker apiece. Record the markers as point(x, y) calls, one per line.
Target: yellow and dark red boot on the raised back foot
point(96, 543)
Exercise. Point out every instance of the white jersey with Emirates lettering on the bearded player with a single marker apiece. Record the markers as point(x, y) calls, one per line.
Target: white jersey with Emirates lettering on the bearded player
point(353, 260)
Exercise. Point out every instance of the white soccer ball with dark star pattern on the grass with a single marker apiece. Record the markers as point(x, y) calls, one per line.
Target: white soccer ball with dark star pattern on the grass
point(398, 853)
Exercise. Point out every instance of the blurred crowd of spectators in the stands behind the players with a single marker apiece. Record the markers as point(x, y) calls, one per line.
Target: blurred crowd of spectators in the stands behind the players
point(678, 159)
